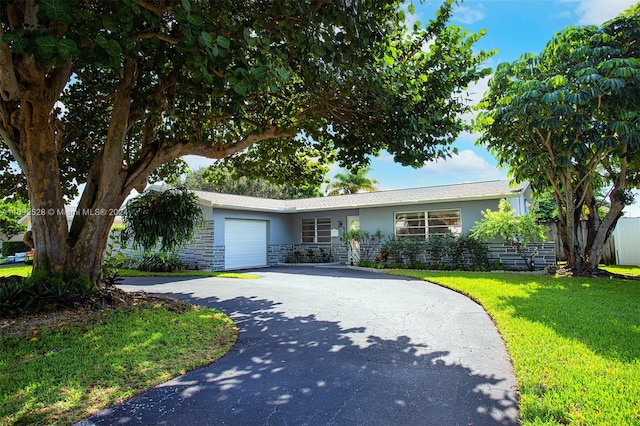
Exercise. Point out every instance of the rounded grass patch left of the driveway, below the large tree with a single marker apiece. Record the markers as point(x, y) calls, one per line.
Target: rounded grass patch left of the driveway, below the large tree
point(61, 374)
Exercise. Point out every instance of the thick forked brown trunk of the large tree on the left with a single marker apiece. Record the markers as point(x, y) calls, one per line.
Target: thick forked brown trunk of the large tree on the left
point(58, 250)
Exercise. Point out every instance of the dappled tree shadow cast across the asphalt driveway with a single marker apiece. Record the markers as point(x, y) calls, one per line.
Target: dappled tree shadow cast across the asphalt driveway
point(302, 370)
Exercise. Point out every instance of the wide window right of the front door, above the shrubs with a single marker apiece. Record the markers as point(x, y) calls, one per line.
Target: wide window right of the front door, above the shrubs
point(423, 224)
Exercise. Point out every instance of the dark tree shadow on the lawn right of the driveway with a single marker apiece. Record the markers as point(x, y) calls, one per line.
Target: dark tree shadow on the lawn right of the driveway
point(603, 314)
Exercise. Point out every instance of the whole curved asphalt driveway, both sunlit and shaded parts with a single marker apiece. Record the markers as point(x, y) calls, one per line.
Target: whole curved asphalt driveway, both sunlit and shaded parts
point(335, 346)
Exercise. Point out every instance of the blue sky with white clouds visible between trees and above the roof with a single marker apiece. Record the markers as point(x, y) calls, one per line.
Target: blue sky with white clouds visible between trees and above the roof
point(513, 27)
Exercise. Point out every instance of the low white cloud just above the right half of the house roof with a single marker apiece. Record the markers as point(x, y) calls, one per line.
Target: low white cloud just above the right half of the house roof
point(467, 166)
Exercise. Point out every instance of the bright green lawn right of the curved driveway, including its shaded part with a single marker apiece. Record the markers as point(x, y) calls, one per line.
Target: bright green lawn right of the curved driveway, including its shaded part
point(574, 342)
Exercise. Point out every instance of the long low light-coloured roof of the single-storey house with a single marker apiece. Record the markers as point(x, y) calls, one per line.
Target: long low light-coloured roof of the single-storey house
point(425, 195)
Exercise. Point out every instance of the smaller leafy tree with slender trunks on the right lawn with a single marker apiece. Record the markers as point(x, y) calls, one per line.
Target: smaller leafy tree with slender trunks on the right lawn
point(567, 120)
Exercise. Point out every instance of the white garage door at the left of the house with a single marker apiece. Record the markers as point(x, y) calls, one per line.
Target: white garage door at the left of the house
point(245, 243)
